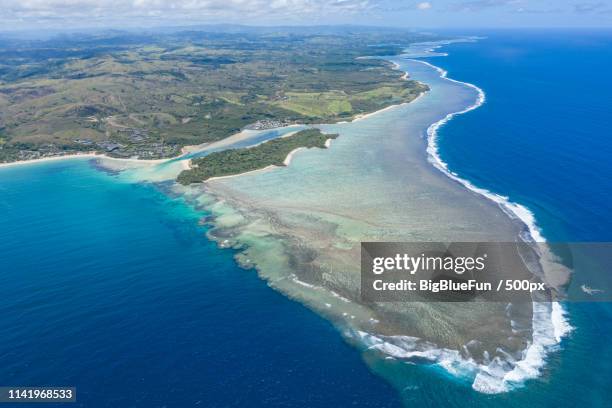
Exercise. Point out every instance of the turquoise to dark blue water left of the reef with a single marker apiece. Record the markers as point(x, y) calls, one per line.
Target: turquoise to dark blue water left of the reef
point(113, 288)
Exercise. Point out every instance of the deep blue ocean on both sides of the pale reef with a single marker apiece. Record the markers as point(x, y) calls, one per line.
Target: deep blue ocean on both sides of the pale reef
point(113, 287)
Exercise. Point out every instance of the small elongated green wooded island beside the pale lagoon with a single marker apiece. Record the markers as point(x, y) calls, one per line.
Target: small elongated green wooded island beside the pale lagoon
point(236, 161)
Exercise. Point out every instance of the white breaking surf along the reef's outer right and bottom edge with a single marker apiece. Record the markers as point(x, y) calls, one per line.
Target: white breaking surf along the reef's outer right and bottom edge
point(549, 322)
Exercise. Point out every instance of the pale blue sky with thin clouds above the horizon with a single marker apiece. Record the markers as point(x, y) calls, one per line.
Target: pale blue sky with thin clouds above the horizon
point(74, 14)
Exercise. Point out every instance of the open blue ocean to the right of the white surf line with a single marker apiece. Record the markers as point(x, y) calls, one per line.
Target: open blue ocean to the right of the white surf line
point(544, 139)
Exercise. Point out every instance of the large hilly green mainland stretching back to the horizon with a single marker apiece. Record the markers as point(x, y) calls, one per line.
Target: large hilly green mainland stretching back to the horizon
point(147, 95)
